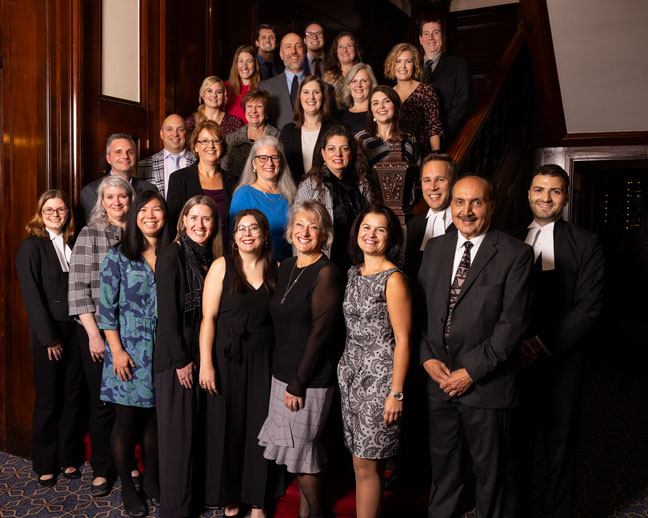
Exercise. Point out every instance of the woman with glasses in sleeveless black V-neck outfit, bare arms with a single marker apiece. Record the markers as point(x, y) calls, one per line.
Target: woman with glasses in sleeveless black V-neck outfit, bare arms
point(235, 370)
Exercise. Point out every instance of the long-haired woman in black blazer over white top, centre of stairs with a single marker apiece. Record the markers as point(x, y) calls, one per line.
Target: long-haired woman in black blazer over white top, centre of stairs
point(311, 118)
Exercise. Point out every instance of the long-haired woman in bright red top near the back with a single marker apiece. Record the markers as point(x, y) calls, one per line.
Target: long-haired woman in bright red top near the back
point(244, 78)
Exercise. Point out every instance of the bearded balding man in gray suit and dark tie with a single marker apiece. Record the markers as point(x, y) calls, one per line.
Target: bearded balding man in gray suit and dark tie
point(283, 88)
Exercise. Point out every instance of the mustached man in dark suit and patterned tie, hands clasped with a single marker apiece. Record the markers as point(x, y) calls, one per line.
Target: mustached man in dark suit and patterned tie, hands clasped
point(476, 290)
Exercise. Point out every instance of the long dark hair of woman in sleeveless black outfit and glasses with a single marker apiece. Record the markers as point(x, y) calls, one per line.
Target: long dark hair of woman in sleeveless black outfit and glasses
point(239, 282)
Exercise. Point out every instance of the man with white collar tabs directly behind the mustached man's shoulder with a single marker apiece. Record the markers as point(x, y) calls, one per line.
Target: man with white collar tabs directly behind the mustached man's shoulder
point(438, 173)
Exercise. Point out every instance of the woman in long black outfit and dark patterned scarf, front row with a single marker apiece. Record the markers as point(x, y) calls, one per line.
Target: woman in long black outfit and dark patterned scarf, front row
point(180, 276)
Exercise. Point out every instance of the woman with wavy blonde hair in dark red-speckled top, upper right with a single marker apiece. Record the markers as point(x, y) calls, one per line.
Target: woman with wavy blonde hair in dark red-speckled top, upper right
point(420, 104)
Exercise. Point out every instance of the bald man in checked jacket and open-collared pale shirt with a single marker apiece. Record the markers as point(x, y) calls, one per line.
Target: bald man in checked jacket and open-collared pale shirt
point(157, 168)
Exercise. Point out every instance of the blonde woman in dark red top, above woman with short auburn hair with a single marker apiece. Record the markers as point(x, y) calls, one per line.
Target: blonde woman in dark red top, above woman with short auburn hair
point(212, 99)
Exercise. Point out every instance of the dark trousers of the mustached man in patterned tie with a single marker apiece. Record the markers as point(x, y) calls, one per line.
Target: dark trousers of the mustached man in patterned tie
point(487, 434)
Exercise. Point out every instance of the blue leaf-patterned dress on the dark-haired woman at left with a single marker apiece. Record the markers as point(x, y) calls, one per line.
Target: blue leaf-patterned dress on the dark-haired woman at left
point(128, 304)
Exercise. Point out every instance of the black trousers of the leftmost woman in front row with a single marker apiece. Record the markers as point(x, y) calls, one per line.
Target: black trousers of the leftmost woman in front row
point(56, 441)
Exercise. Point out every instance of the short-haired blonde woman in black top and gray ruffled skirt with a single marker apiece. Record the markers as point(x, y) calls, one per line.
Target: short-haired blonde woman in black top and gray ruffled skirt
point(306, 311)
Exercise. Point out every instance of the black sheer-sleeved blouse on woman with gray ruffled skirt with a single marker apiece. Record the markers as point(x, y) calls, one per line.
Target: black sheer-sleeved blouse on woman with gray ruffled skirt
point(309, 334)
